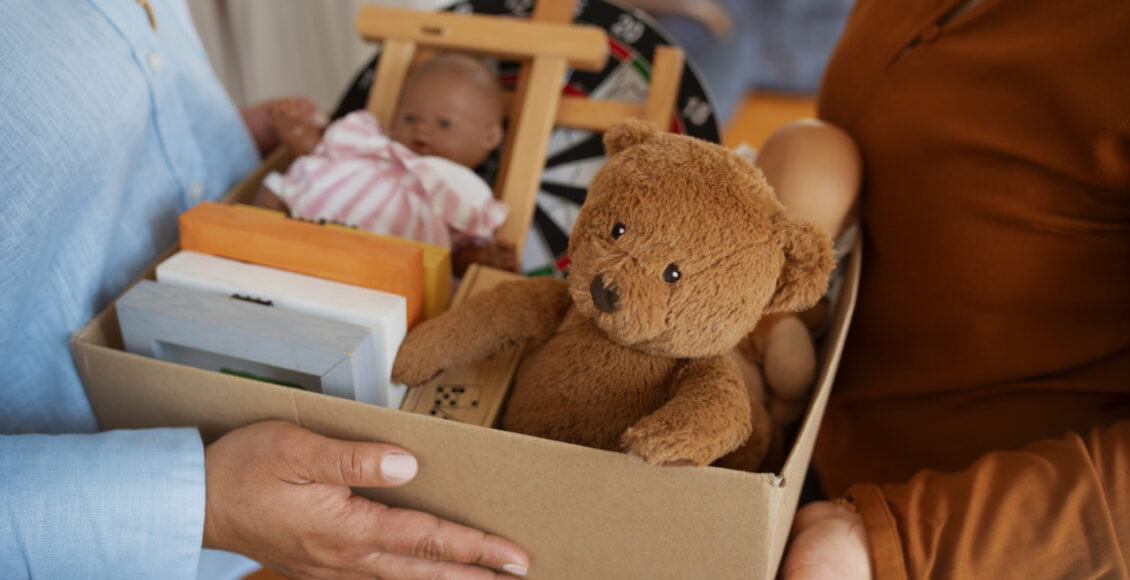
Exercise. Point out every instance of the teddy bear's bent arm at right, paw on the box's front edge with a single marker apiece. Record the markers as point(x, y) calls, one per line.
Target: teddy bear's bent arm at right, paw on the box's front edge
point(708, 417)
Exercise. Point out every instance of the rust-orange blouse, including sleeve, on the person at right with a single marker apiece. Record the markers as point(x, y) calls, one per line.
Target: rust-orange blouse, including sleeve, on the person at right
point(976, 419)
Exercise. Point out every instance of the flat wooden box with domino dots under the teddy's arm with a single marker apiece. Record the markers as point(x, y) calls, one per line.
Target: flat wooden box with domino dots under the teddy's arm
point(473, 394)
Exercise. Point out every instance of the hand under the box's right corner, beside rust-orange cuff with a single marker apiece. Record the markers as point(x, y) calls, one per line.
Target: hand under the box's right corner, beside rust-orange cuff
point(828, 541)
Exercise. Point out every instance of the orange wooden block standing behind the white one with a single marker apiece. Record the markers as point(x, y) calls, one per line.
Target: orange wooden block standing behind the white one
point(301, 247)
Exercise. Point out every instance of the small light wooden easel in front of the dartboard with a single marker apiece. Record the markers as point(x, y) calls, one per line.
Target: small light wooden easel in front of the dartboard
point(546, 46)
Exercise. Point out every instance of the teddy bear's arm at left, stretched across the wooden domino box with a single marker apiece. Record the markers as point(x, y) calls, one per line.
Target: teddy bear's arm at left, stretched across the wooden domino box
point(488, 323)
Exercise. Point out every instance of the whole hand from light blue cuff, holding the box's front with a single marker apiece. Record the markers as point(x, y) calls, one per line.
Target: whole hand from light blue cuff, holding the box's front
point(282, 496)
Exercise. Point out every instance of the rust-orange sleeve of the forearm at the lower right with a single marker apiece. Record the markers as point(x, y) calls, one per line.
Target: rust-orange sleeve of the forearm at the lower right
point(1056, 509)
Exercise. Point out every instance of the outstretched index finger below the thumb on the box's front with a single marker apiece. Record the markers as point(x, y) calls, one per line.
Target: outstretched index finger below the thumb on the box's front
point(428, 538)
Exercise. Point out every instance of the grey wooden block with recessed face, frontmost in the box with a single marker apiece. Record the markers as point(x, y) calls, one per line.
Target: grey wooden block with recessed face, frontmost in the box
point(245, 339)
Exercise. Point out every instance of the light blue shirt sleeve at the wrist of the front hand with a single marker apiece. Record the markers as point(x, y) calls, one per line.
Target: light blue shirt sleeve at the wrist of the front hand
point(115, 505)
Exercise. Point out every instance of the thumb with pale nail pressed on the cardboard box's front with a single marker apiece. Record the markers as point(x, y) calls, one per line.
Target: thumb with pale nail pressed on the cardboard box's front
point(354, 464)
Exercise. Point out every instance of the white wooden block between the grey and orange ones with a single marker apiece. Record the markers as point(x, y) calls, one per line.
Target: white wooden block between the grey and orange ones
point(381, 313)
